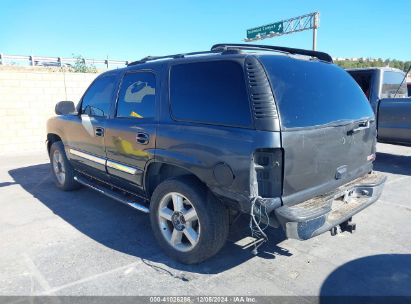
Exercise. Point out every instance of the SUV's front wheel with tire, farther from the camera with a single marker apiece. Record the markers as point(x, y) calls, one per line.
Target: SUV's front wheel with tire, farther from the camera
point(63, 172)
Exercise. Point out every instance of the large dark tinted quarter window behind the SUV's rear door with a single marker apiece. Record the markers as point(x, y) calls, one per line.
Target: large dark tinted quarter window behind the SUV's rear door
point(210, 92)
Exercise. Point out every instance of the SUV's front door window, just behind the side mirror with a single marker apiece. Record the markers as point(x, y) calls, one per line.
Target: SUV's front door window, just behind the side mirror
point(97, 100)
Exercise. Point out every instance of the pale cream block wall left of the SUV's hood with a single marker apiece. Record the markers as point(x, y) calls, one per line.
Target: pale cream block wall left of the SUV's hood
point(27, 100)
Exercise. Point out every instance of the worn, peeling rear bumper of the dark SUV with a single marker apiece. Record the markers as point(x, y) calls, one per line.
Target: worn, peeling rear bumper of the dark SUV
point(320, 214)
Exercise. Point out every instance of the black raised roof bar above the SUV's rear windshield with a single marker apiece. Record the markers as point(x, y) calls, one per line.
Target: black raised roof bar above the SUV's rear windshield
point(241, 46)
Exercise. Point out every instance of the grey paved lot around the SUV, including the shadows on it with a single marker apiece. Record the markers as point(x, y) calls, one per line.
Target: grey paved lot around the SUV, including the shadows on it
point(81, 243)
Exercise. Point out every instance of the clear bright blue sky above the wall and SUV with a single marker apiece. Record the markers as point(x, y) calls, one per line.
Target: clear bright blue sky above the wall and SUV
point(130, 30)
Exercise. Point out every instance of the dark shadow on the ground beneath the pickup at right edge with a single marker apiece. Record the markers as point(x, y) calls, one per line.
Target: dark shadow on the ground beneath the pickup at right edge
point(391, 163)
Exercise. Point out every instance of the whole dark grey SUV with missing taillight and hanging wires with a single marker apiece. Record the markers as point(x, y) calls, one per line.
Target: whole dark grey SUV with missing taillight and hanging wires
point(193, 139)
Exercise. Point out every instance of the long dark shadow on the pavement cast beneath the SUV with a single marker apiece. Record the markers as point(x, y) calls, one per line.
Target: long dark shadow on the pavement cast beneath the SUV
point(127, 230)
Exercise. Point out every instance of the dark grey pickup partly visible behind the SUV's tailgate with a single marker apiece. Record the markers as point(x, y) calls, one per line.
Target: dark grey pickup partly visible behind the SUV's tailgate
point(387, 93)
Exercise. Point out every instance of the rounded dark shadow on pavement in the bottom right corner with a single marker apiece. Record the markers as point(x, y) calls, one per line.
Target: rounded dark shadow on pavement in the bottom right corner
point(384, 278)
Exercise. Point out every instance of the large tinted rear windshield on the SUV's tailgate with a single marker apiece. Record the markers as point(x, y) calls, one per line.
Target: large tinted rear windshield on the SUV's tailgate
point(312, 93)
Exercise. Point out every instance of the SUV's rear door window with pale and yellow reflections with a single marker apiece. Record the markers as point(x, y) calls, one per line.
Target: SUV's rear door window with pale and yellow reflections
point(137, 96)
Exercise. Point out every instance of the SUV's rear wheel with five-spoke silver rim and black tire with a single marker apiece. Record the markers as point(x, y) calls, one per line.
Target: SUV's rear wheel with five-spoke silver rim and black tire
point(173, 228)
